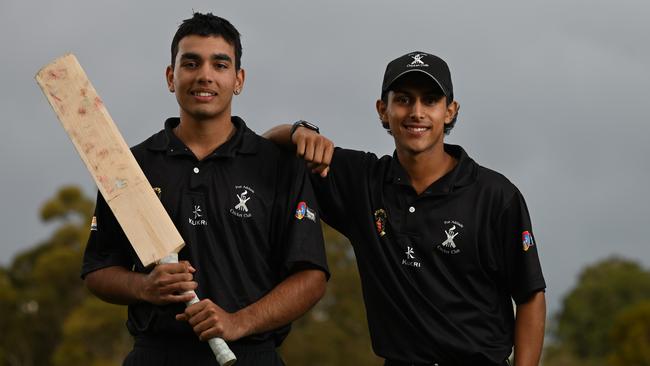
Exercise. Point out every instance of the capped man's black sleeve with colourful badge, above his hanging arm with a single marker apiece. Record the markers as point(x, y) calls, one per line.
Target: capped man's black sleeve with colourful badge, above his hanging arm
point(523, 269)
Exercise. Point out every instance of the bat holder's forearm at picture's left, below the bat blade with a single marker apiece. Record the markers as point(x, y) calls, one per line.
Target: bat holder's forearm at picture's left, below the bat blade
point(116, 285)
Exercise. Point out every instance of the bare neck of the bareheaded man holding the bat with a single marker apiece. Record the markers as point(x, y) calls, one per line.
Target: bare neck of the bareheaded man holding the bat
point(202, 137)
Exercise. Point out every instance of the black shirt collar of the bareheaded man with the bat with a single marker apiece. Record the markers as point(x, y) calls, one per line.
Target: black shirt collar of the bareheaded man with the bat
point(242, 142)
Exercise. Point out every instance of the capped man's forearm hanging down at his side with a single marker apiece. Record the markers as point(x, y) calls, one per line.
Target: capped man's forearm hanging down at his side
point(529, 330)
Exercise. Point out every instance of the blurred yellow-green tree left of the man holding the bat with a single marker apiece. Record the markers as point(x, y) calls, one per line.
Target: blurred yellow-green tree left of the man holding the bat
point(45, 283)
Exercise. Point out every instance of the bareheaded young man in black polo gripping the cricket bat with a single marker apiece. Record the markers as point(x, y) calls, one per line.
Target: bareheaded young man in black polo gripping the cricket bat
point(246, 210)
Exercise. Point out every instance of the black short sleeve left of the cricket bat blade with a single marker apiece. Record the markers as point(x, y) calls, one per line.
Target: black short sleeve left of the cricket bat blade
point(107, 244)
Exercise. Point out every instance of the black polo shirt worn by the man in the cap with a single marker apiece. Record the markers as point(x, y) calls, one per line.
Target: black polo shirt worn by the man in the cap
point(439, 269)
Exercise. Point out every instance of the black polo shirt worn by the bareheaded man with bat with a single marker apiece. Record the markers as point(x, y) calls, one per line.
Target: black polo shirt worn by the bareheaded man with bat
point(246, 213)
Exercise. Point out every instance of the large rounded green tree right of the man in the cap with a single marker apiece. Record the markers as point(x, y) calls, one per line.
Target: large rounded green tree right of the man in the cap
point(582, 328)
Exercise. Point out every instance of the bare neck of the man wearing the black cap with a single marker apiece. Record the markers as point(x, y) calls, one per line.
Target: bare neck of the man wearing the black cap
point(425, 168)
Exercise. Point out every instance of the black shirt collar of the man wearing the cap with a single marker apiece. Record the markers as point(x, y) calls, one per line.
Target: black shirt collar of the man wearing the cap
point(463, 174)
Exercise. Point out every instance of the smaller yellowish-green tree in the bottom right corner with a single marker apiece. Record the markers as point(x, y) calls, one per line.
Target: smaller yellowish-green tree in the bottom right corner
point(630, 336)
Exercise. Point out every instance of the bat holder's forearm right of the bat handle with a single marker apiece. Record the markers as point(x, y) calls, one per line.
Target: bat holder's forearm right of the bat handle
point(284, 304)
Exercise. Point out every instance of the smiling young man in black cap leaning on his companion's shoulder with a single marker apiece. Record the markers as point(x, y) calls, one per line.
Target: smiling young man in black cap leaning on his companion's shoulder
point(443, 245)
